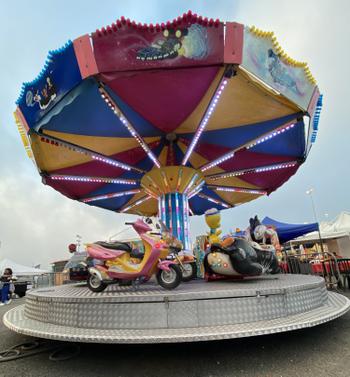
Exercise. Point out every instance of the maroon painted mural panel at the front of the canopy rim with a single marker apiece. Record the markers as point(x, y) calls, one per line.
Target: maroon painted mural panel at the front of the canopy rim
point(186, 44)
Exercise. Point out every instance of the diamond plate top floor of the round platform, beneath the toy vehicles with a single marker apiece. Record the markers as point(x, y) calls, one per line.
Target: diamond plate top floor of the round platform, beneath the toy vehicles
point(195, 289)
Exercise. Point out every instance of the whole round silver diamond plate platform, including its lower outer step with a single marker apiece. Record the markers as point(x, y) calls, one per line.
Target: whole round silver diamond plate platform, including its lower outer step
point(195, 311)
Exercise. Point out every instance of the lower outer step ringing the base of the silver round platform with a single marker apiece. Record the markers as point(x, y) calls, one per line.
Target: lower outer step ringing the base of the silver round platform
point(337, 305)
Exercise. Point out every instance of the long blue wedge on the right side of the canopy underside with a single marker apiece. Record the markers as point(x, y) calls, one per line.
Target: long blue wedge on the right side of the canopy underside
point(235, 137)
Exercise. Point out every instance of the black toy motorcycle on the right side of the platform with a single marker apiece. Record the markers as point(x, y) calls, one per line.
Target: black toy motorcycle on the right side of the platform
point(237, 258)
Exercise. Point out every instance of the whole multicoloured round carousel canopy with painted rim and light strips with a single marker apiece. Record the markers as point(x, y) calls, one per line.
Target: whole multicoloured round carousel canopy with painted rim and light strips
point(216, 111)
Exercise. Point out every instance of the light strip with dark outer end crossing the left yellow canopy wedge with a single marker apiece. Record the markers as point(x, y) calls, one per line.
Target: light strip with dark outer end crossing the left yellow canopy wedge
point(94, 155)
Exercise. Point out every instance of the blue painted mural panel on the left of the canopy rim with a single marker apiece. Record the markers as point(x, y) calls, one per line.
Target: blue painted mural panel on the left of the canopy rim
point(58, 77)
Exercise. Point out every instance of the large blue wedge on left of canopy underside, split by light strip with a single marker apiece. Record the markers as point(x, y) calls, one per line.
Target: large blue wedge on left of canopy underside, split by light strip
point(84, 112)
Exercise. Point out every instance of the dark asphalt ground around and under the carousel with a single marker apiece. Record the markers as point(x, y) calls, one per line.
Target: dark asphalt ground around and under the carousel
point(319, 351)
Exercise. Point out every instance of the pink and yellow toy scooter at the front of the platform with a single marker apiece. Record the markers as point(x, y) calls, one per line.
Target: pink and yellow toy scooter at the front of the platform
point(116, 265)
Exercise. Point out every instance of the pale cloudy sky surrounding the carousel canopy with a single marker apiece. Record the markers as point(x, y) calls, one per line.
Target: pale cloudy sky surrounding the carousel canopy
point(37, 223)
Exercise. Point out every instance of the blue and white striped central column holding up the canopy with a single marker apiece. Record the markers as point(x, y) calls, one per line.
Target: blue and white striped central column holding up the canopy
point(173, 211)
